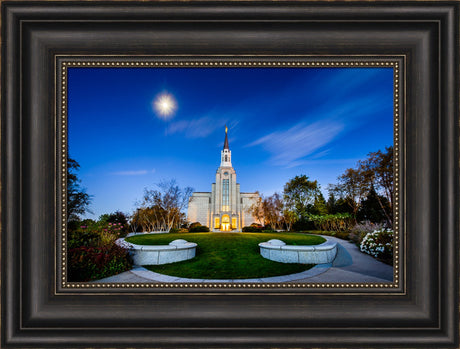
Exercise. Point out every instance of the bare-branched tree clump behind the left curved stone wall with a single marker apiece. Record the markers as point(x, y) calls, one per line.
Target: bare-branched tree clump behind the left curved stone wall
point(161, 209)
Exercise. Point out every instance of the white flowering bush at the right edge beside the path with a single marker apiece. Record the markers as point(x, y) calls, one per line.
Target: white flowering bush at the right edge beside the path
point(379, 244)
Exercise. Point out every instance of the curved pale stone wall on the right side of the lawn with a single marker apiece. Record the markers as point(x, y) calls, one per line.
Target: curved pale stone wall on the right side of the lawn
point(278, 251)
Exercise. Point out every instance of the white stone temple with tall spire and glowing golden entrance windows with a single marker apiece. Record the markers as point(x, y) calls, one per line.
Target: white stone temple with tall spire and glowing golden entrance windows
point(225, 208)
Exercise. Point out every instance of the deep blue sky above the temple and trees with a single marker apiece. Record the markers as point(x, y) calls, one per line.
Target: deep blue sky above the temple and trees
point(282, 122)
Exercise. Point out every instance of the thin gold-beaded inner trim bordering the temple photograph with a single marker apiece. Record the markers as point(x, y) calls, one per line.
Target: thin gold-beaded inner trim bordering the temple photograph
point(62, 63)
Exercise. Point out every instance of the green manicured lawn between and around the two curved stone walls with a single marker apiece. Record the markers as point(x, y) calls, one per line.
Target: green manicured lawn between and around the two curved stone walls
point(227, 255)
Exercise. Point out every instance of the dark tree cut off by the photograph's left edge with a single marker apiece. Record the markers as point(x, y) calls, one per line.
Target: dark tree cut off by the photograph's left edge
point(77, 198)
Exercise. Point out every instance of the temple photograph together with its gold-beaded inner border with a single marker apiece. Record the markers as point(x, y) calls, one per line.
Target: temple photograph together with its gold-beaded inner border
point(281, 117)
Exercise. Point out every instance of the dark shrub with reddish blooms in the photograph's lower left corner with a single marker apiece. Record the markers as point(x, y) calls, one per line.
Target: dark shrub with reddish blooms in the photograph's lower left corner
point(92, 263)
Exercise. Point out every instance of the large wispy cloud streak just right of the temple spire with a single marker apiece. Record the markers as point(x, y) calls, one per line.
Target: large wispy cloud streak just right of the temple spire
point(288, 147)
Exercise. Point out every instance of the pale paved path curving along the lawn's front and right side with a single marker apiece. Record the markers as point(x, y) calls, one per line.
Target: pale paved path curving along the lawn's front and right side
point(350, 265)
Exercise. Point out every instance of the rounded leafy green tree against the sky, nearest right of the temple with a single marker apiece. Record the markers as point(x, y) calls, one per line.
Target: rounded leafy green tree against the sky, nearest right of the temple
point(300, 194)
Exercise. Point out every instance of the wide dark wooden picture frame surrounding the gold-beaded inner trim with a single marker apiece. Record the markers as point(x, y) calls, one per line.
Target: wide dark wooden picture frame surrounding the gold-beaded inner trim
point(423, 312)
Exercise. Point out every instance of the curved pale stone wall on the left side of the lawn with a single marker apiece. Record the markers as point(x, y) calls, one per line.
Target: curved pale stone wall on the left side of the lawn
point(176, 251)
